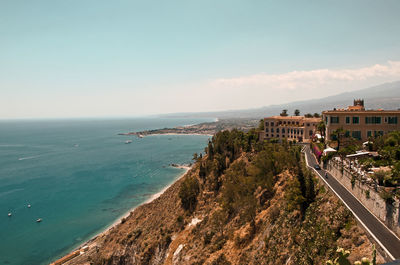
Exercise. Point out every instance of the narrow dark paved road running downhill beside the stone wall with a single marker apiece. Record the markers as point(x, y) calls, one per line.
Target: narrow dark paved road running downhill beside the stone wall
point(379, 231)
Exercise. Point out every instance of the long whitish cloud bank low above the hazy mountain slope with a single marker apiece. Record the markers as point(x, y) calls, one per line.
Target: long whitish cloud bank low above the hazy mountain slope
point(265, 89)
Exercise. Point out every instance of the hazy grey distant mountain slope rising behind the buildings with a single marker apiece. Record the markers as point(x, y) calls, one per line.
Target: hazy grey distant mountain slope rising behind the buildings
point(385, 96)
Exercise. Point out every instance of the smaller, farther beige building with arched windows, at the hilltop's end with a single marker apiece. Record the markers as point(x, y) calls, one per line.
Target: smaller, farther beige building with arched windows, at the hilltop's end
point(296, 128)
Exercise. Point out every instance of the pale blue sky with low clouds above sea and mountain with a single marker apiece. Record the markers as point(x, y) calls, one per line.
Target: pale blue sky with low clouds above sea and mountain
point(101, 58)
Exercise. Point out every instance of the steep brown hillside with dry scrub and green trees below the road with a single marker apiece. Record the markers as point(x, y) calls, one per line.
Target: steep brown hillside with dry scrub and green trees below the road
point(243, 203)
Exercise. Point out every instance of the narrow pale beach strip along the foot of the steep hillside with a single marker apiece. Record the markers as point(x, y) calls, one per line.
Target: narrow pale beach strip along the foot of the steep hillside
point(90, 242)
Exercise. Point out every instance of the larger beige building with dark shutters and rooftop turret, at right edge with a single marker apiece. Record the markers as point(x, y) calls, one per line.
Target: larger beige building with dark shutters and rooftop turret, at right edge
point(361, 123)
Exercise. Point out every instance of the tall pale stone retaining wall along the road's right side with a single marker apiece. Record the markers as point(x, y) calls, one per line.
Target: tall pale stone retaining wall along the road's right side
point(389, 214)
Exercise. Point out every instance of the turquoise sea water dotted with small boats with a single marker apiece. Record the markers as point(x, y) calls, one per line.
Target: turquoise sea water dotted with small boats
point(79, 176)
